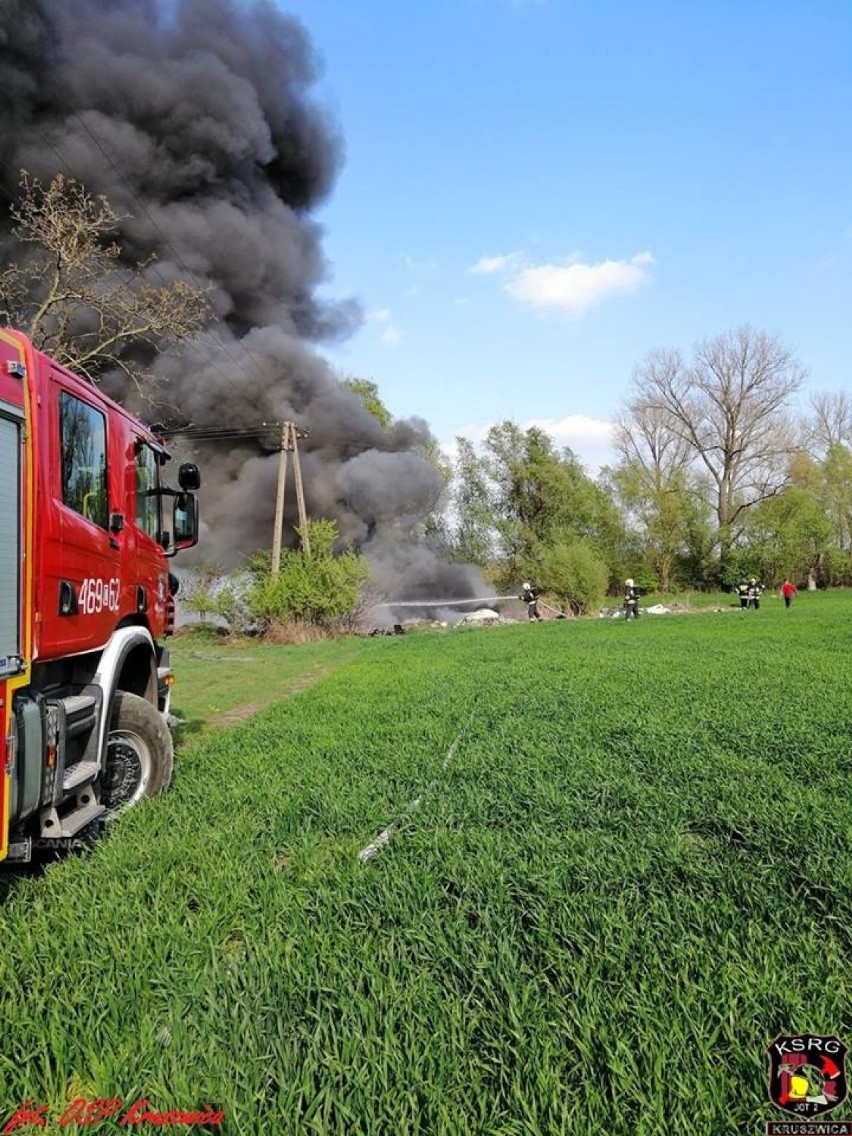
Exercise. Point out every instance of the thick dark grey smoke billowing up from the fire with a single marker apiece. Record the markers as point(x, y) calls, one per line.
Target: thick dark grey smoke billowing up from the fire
point(197, 121)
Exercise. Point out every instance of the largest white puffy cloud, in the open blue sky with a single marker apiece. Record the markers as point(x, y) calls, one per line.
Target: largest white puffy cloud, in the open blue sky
point(574, 288)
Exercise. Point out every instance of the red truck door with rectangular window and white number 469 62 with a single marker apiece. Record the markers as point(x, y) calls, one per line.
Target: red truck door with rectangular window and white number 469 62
point(83, 595)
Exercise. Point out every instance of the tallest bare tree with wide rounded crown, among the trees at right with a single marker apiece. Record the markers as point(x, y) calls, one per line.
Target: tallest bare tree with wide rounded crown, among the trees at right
point(729, 407)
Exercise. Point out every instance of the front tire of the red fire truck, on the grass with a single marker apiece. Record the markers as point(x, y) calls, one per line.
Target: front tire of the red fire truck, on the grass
point(140, 755)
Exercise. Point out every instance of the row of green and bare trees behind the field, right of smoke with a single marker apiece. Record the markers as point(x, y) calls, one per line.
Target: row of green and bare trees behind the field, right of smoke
point(714, 480)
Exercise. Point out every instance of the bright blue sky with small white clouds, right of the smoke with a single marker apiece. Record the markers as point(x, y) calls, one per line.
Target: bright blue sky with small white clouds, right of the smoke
point(538, 193)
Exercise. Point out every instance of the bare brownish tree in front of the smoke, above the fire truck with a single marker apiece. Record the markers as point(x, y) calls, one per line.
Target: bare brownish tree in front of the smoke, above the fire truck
point(77, 298)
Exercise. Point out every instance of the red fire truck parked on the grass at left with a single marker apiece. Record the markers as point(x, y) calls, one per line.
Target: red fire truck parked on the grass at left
point(87, 527)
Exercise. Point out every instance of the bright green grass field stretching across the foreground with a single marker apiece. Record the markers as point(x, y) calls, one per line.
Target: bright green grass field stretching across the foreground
point(630, 870)
